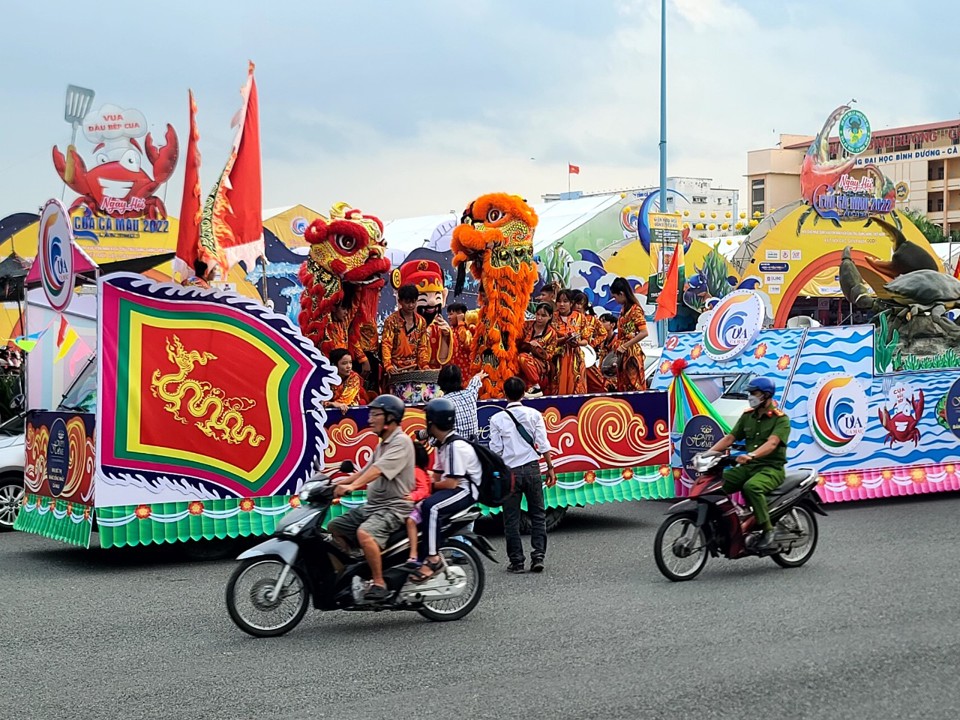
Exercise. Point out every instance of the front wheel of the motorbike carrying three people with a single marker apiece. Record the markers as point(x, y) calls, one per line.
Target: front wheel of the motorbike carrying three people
point(249, 604)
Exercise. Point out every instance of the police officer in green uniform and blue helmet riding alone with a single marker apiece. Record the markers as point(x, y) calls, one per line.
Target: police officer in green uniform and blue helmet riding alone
point(766, 430)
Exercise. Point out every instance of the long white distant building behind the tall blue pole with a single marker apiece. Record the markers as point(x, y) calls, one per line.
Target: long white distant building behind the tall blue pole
point(694, 198)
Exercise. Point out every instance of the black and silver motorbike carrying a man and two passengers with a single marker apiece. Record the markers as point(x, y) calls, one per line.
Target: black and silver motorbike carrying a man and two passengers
point(270, 591)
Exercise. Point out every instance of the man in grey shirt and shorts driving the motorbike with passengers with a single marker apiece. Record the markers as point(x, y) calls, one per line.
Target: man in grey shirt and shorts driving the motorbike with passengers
point(389, 479)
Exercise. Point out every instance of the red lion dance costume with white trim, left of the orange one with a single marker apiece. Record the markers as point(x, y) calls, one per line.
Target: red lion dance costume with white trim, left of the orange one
point(342, 278)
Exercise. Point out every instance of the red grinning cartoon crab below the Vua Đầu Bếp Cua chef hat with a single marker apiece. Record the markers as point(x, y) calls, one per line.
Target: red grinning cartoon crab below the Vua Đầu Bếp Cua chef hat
point(117, 183)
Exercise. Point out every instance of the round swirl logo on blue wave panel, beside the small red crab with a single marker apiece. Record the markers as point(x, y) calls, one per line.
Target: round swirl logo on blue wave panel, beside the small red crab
point(837, 410)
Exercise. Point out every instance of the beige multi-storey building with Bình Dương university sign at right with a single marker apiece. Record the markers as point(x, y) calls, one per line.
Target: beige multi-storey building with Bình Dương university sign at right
point(922, 160)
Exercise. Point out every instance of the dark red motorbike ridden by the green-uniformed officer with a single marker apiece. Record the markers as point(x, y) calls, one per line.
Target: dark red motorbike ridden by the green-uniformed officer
point(710, 522)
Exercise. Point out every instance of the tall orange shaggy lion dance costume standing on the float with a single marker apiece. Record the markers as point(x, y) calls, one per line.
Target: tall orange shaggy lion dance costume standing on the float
point(495, 237)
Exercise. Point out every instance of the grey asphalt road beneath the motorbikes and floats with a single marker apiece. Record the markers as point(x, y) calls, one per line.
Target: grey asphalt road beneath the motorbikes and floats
point(868, 629)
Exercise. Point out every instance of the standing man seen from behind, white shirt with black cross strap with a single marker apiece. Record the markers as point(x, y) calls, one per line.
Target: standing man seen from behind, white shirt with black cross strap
point(519, 435)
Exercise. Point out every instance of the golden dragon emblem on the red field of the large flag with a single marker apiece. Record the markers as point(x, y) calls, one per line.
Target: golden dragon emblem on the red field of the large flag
point(225, 421)
